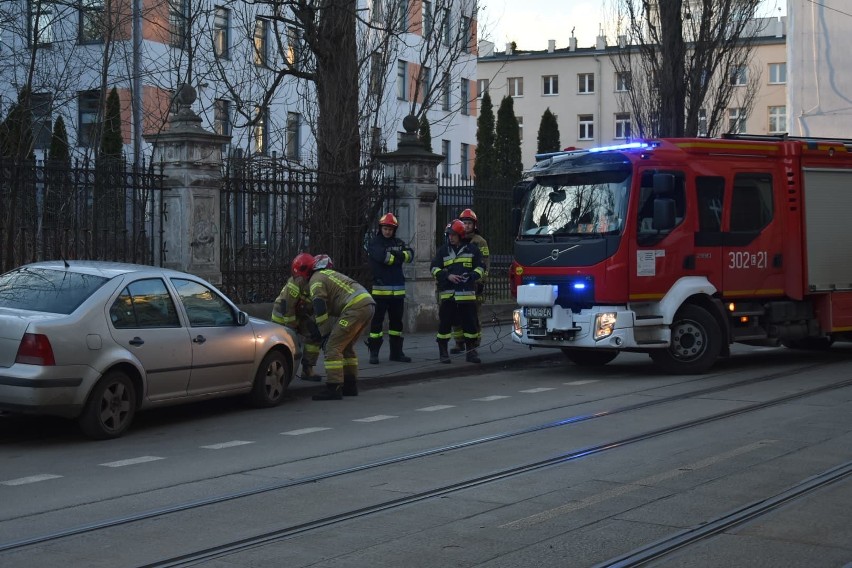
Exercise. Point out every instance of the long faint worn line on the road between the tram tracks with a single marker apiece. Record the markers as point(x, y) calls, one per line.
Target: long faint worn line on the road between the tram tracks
point(632, 486)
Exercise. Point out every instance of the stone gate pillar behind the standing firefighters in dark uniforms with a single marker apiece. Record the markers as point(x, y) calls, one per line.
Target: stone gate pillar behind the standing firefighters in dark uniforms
point(416, 172)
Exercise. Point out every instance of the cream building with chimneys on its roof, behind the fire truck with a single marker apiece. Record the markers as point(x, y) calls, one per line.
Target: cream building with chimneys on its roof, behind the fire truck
point(583, 88)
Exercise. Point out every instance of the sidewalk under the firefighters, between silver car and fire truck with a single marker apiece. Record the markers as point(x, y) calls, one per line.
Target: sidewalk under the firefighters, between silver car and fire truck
point(497, 351)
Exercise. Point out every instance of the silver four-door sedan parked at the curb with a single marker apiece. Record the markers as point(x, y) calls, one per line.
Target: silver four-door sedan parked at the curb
point(97, 341)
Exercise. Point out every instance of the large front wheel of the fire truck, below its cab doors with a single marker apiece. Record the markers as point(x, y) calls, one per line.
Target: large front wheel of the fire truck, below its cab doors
point(695, 344)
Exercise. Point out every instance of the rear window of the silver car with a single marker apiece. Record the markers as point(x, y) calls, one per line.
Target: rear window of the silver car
point(42, 290)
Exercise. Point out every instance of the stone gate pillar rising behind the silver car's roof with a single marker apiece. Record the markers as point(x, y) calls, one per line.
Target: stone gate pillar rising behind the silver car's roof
point(192, 168)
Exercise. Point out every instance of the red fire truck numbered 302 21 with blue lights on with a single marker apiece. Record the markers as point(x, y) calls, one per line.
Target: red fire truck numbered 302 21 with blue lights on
point(680, 247)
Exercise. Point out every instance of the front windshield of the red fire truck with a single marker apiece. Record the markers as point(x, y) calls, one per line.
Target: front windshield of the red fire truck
point(579, 204)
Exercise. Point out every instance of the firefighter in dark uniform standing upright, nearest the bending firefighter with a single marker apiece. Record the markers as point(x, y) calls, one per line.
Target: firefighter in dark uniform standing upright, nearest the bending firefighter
point(387, 255)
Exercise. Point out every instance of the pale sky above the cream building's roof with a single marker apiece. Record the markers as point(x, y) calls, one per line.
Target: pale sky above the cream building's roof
point(530, 23)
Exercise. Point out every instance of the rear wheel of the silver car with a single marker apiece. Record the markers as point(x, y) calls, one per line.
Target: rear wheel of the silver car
point(110, 408)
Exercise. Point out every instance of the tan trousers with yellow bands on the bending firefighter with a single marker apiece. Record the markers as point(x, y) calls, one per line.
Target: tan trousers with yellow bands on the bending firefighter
point(340, 357)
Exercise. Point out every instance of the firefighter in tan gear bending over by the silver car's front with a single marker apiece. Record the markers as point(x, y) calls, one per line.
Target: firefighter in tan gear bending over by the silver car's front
point(336, 295)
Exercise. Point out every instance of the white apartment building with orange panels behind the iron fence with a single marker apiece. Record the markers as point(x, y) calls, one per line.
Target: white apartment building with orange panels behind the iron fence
point(249, 67)
